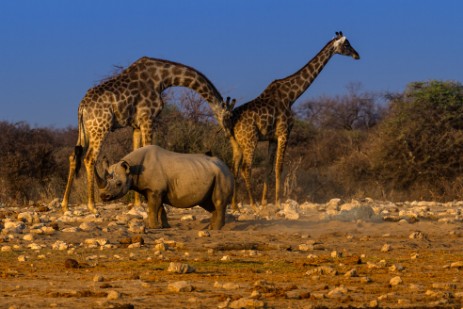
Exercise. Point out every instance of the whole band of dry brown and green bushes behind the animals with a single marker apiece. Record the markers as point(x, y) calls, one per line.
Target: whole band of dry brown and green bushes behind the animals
point(349, 146)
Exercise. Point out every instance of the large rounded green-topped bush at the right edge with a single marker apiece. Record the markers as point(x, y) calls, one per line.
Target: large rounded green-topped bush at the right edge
point(420, 141)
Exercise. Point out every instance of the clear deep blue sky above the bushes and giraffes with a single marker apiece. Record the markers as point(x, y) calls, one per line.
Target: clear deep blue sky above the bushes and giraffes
point(53, 51)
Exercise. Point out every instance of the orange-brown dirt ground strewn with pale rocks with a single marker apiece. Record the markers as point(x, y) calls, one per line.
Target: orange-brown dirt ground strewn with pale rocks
point(335, 255)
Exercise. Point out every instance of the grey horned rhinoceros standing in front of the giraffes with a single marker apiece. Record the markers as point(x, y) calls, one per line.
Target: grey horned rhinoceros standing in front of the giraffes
point(166, 177)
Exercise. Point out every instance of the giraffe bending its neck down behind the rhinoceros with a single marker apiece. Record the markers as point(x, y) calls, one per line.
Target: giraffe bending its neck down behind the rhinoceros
point(133, 98)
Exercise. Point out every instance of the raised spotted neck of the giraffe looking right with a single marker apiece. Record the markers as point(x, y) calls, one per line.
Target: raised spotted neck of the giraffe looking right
point(293, 86)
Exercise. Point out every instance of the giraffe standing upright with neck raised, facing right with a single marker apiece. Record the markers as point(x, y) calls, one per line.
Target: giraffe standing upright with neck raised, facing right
point(269, 118)
